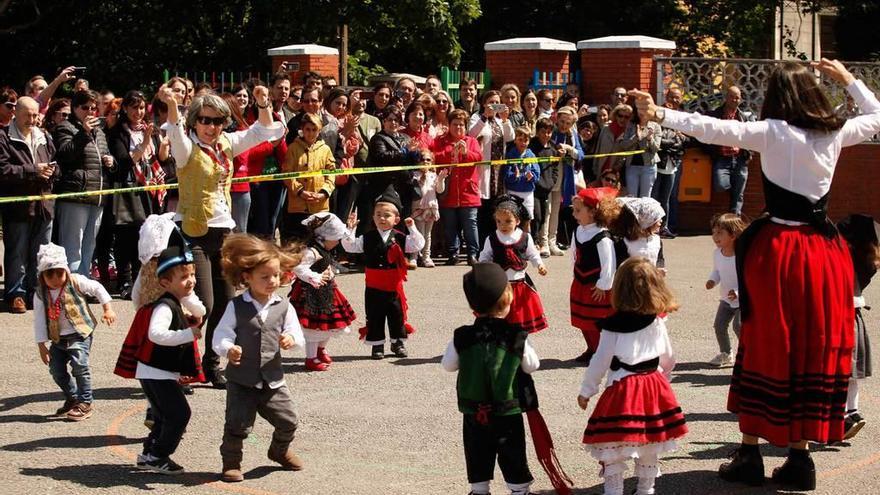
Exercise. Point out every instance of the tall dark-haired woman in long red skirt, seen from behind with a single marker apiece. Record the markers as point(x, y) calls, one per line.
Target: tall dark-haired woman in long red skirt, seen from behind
point(789, 384)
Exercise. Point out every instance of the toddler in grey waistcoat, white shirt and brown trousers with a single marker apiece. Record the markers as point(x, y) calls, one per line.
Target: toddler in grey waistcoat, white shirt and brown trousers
point(256, 325)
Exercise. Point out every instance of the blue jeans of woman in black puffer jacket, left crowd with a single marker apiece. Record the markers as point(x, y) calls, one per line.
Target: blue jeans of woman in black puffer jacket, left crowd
point(77, 230)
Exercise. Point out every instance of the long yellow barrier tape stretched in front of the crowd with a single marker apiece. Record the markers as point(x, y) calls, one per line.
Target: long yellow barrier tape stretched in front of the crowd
point(300, 175)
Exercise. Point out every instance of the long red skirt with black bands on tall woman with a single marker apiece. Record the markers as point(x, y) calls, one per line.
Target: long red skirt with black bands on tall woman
point(795, 349)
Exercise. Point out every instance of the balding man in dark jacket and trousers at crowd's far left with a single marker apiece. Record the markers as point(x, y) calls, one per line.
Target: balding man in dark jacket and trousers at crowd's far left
point(26, 168)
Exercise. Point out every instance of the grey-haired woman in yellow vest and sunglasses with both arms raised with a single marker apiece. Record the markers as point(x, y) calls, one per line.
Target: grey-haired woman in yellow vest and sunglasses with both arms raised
point(204, 153)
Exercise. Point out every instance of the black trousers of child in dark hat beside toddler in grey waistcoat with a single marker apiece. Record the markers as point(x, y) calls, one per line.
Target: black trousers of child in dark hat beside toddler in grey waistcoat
point(170, 413)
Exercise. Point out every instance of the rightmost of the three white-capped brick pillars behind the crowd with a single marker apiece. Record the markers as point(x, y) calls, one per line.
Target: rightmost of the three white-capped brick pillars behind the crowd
point(626, 61)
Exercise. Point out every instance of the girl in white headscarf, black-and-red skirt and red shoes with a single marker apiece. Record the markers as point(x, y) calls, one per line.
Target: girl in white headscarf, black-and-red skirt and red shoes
point(322, 309)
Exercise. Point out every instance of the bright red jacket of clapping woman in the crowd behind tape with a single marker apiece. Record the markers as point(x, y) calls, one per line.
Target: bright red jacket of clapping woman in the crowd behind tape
point(463, 184)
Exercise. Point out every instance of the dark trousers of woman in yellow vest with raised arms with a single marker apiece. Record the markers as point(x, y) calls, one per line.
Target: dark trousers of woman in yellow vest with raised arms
point(211, 288)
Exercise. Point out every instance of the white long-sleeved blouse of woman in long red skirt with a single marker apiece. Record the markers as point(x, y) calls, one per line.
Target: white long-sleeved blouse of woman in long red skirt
point(798, 160)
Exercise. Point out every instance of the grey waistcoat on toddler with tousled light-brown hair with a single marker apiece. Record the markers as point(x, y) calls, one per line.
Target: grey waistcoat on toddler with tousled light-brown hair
point(261, 352)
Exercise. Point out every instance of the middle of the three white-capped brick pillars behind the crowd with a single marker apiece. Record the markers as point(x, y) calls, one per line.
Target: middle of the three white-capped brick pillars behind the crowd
point(515, 60)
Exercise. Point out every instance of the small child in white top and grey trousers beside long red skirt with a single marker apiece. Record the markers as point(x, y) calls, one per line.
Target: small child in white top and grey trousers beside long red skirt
point(726, 228)
